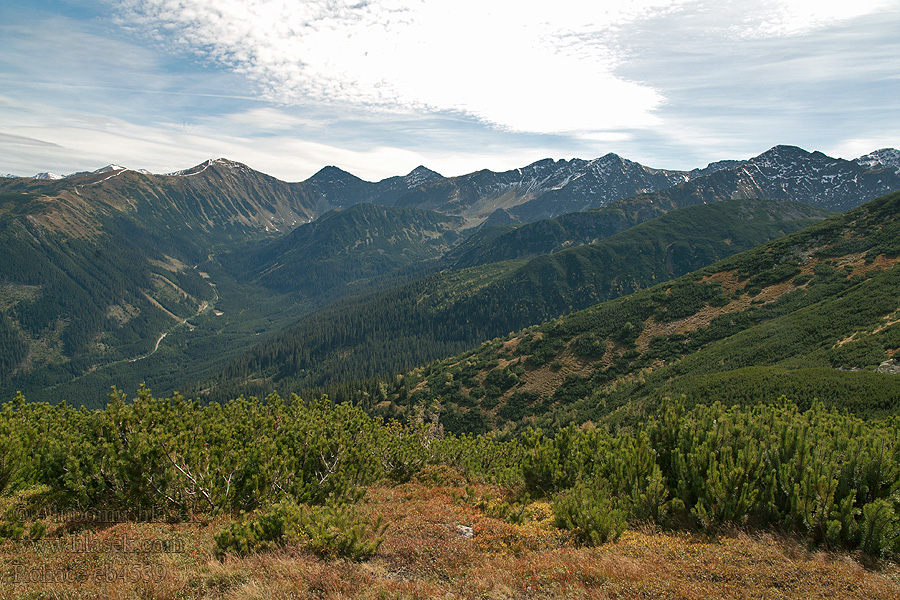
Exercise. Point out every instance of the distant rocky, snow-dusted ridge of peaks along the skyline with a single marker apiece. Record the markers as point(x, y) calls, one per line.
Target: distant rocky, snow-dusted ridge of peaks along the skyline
point(548, 188)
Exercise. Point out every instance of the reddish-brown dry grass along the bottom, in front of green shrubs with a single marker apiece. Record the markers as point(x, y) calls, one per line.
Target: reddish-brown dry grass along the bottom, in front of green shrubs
point(426, 556)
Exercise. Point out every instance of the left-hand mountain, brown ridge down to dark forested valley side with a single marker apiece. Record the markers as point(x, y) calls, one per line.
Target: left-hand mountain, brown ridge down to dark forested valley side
point(98, 266)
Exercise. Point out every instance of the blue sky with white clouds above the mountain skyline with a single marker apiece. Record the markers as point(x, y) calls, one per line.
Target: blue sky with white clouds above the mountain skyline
point(380, 87)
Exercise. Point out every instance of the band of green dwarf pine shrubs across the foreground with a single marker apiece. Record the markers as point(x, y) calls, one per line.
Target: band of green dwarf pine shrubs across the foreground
point(830, 478)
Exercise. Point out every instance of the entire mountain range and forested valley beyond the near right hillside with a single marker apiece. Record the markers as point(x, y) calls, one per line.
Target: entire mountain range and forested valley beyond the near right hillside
point(193, 279)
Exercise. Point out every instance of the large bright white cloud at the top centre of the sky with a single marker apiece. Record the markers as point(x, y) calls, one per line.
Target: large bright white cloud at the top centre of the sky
point(520, 66)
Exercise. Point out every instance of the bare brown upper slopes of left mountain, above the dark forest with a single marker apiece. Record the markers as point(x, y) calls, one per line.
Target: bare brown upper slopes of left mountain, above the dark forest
point(216, 203)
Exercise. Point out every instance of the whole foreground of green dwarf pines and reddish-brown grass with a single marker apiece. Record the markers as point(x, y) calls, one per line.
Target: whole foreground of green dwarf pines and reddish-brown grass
point(280, 498)
